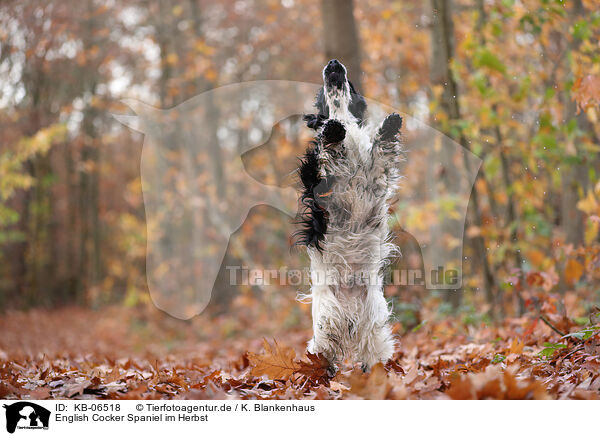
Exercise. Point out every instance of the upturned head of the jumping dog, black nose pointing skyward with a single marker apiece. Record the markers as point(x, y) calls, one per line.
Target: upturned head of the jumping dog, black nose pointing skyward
point(338, 95)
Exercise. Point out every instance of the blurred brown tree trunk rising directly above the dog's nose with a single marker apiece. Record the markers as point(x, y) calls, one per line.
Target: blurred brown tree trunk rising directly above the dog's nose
point(341, 37)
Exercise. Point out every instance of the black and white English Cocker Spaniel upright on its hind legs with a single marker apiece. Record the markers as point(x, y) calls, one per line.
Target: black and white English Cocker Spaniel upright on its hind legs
point(348, 175)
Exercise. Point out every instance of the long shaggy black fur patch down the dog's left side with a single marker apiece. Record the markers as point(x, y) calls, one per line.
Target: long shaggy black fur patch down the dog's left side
point(313, 217)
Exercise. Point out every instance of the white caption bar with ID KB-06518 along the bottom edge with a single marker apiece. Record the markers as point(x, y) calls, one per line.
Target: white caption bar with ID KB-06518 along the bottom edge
point(23, 417)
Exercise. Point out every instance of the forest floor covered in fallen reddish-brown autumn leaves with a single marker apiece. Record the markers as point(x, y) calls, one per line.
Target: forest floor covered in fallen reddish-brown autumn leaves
point(122, 353)
